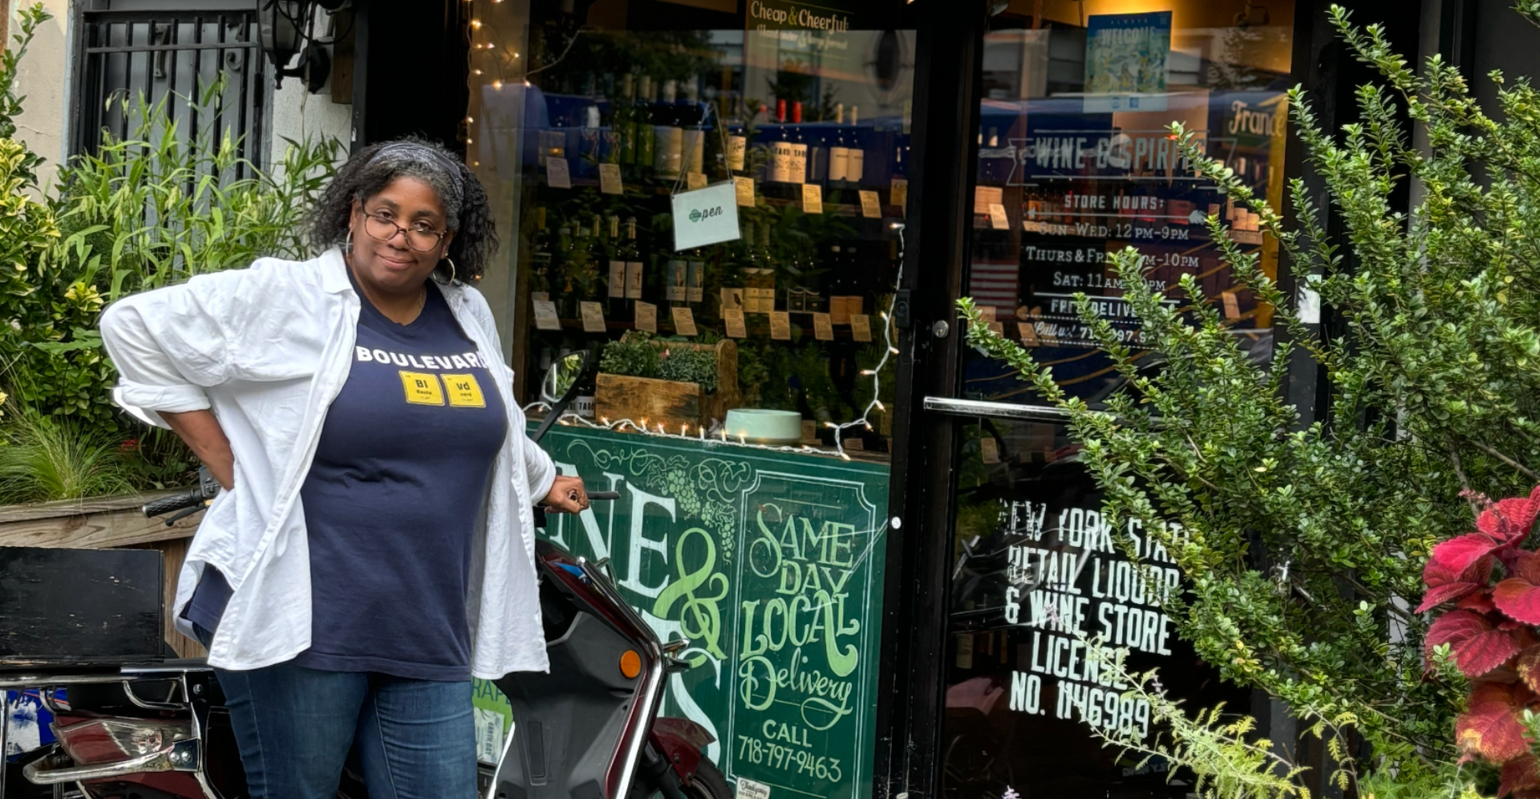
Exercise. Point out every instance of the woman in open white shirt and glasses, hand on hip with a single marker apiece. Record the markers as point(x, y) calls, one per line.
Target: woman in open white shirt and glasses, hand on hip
point(373, 547)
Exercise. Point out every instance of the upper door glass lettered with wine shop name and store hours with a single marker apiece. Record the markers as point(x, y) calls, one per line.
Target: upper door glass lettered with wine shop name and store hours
point(1077, 162)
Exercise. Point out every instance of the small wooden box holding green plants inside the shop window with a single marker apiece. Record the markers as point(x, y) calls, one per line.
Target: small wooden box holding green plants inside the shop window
point(669, 403)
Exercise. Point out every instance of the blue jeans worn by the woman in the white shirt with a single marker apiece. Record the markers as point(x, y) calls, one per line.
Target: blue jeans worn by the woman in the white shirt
point(296, 726)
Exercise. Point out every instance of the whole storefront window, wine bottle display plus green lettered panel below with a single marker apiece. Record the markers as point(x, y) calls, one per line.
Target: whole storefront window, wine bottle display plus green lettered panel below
point(595, 127)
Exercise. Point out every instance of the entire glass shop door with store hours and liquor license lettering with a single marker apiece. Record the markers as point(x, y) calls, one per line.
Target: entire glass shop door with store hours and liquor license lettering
point(1076, 161)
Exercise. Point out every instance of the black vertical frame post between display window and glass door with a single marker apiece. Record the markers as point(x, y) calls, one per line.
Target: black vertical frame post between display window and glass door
point(948, 69)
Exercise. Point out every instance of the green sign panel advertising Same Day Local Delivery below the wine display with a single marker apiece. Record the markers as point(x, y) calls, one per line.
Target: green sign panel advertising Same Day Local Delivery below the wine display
point(771, 566)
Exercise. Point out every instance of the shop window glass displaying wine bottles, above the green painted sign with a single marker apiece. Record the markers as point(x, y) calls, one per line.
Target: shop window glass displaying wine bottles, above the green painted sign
point(594, 125)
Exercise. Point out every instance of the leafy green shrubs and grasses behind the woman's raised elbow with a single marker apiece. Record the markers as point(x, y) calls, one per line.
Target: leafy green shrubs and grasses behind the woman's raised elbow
point(141, 213)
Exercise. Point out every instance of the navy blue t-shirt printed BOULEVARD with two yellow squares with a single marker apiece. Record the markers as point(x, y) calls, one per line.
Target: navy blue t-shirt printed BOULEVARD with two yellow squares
point(392, 503)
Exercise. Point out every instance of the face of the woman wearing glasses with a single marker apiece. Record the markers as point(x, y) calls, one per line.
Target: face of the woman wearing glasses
point(397, 262)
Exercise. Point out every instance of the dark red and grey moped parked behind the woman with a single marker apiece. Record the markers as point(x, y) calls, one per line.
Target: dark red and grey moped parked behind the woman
point(586, 730)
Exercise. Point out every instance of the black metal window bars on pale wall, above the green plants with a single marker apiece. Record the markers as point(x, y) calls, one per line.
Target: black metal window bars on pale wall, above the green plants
point(162, 56)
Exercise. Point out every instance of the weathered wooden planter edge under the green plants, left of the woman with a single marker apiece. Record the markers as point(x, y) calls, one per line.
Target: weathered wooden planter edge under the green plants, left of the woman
point(104, 524)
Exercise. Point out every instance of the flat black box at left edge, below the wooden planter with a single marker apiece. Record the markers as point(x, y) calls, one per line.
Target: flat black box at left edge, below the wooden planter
point(79, 607)
